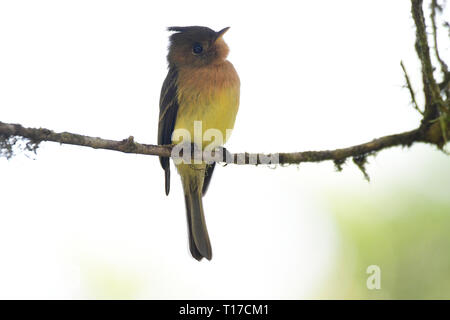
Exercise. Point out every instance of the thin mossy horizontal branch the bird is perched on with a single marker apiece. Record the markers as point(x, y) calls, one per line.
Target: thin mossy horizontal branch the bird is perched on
point(36, 136)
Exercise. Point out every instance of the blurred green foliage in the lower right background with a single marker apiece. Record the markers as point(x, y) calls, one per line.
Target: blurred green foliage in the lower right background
point(406, 234)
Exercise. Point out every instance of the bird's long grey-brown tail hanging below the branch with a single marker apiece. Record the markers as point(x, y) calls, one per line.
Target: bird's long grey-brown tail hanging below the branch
point(199, 243)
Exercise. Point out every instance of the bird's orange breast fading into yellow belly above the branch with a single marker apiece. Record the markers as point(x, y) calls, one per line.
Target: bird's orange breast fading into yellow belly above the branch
point(210, 96)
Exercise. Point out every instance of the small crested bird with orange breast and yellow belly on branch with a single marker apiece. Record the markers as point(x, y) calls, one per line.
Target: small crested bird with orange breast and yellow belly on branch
point(201, 86)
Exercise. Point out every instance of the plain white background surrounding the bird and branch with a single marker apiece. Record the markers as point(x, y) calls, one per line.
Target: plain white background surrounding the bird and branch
point(83, 223)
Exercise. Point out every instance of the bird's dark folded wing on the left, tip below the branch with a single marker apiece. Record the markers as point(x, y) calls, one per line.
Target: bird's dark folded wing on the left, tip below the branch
point(168, 108)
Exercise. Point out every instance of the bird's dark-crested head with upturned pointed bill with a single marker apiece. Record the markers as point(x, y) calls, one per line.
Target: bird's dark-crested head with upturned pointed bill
point(196, 46)
